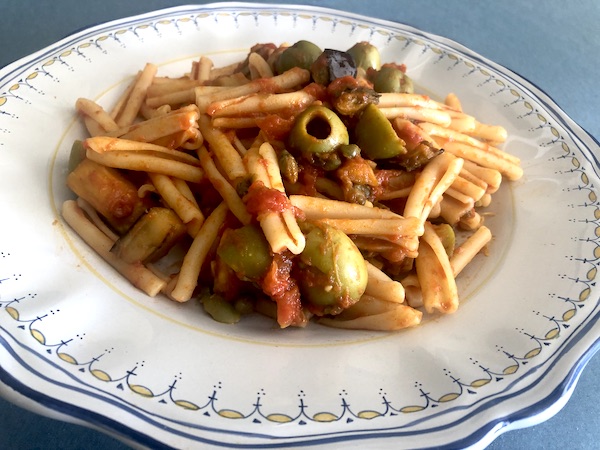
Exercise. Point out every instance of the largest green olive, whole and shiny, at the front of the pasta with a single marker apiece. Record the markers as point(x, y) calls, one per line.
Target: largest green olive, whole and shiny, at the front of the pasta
point(334, 273)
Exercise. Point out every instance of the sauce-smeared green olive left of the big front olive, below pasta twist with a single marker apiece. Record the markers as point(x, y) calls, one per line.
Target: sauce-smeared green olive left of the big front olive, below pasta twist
point(246, 251)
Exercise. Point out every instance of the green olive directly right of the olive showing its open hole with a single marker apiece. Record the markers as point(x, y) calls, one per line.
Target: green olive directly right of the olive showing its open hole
point(376, 136)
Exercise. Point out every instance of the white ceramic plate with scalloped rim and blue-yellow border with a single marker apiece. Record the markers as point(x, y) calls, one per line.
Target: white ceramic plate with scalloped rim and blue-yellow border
point(80, 341)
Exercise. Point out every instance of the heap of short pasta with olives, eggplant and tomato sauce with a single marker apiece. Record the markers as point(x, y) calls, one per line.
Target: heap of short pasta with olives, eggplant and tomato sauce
point(317, 191)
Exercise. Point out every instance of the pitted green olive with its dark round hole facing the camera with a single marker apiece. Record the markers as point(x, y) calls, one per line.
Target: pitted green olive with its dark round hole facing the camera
point(317, 130)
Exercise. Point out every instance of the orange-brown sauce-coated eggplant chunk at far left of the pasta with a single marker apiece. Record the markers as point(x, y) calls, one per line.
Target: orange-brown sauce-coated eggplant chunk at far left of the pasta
point(109, 192)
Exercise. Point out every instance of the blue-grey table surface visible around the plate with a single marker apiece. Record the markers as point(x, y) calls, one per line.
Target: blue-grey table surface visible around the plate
point(553, 43)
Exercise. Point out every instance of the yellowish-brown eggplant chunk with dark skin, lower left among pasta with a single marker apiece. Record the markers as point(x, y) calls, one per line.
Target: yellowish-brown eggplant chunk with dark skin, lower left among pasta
point(152, 236)
